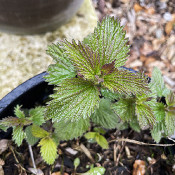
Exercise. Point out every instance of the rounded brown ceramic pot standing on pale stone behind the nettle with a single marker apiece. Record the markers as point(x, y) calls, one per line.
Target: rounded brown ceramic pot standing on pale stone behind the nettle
point(35, 16)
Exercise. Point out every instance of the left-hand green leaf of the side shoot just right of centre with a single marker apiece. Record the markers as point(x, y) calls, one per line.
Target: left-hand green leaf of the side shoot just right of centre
point(125, 108)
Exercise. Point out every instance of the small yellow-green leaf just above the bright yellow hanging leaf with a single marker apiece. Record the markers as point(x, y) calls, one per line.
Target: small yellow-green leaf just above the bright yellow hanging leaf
point(39, 132)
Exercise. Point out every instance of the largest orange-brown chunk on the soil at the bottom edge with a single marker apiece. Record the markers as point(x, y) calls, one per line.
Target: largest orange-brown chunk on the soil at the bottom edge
point(139, 167)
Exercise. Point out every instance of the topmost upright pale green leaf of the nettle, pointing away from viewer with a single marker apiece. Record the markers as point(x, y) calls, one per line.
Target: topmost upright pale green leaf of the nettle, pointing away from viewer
point(109, 41)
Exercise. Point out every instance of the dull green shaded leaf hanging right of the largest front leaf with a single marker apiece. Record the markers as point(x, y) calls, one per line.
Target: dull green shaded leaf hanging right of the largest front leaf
point(104, 116)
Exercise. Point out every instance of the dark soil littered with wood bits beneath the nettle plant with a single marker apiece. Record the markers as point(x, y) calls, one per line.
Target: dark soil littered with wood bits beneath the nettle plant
point(117, 160)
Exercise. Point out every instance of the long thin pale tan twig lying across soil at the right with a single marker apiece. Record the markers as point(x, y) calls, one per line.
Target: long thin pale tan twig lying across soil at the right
point(139, 143)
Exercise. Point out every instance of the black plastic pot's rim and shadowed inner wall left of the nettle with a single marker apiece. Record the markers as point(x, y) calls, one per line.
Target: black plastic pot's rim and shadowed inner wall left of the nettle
point(33, 91)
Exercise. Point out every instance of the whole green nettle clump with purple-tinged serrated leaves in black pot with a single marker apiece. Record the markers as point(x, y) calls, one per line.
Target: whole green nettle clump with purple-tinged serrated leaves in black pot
point(93, 89)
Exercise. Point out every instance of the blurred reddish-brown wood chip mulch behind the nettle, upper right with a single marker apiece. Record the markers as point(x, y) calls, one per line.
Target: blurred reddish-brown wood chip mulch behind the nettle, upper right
point(150, 26)
